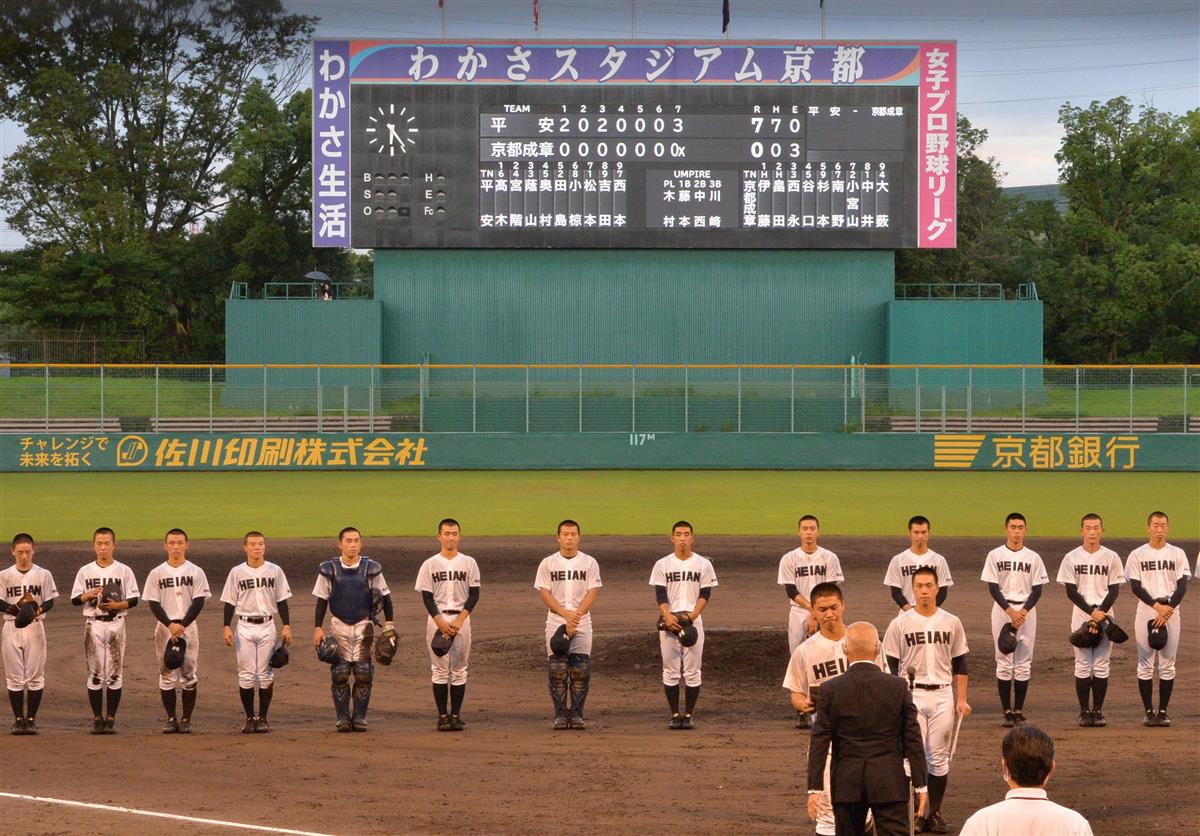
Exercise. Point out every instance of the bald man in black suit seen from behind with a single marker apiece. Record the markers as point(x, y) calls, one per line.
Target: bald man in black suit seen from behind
point(869, 718)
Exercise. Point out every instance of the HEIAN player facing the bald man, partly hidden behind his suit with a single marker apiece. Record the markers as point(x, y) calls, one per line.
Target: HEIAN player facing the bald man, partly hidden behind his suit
point(819, 659)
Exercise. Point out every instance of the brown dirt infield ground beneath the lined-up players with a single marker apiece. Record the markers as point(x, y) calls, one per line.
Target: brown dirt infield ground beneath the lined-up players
point(743, 771)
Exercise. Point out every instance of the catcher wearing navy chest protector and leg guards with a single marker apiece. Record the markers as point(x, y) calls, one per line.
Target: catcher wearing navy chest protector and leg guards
point(349, 586)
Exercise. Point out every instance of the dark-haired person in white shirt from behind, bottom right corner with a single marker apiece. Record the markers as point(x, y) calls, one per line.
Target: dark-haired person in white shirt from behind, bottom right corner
point(1027, 763)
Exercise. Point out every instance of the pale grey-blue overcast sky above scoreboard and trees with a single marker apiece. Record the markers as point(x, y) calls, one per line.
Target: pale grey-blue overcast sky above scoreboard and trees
point(1019, 61)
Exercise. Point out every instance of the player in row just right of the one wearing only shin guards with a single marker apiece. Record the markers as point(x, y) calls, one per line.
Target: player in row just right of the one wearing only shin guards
point(683, 582)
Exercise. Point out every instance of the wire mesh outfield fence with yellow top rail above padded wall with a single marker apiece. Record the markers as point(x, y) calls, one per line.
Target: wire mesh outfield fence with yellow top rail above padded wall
point(598, 399)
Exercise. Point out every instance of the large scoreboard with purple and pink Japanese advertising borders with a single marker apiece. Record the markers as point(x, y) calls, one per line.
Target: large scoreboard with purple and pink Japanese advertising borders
point(730, 146)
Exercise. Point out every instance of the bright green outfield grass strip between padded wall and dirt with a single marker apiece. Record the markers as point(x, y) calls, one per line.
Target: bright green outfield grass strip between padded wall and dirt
point(219, 506)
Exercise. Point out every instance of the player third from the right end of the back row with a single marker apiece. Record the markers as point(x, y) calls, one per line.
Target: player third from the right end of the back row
point(1016, 576)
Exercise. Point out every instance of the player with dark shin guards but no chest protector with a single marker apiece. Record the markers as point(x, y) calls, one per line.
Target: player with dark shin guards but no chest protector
point(568, 584)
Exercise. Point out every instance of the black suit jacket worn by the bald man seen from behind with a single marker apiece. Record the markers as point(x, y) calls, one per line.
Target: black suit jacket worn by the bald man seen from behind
point(869, 718)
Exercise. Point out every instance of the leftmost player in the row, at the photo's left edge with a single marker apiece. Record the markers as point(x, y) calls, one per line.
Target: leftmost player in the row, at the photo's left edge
point(23, 648)
